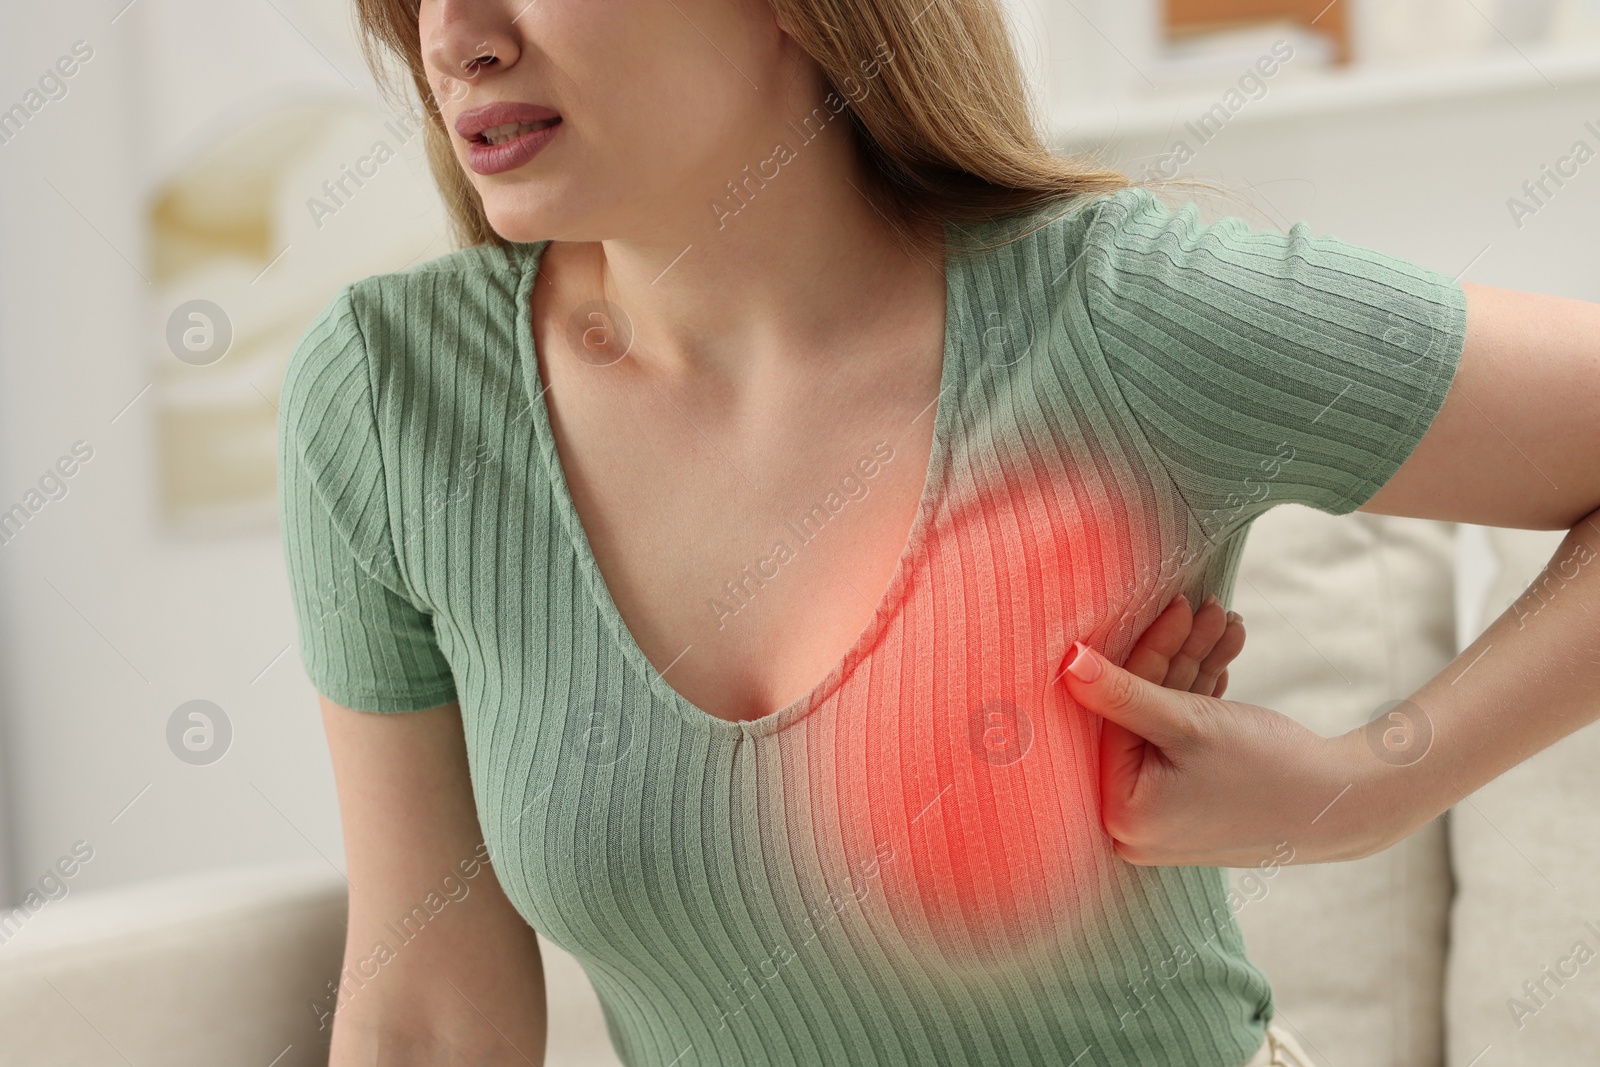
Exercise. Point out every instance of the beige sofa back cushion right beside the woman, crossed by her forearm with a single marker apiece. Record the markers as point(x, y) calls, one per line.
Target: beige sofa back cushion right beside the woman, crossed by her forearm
point(1342, 615)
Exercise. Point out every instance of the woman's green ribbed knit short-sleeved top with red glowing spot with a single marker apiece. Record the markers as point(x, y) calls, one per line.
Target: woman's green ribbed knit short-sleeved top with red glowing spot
point(905, 866)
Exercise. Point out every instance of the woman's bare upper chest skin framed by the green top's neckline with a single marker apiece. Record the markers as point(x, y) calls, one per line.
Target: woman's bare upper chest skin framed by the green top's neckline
point(746, 533)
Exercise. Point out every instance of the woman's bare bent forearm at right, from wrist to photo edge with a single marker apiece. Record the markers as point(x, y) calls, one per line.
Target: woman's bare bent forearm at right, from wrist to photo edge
point(1529, 681)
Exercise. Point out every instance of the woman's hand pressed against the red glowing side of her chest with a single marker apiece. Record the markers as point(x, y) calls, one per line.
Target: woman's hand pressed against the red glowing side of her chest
point(1191, 780)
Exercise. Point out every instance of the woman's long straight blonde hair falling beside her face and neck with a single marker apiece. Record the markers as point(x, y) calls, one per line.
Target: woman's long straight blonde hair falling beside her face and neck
point(946, 132)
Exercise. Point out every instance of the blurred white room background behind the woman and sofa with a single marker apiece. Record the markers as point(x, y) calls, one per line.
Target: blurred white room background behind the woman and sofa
point(185, 185)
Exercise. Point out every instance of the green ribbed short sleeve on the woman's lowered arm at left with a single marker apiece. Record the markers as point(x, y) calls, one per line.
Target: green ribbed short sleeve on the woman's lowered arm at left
point(364, 641)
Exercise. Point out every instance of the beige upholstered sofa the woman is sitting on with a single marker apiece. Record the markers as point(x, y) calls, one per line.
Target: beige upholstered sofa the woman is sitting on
point(1401, 961)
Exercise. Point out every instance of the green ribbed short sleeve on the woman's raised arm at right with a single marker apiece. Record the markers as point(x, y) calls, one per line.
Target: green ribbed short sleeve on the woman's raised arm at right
point(1263, 367)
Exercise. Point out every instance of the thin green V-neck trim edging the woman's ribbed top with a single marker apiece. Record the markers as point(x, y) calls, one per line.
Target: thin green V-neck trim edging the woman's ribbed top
point(956, 282)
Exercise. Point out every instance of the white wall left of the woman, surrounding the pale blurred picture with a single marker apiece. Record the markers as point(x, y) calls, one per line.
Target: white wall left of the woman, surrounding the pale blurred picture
point(108, 620)
